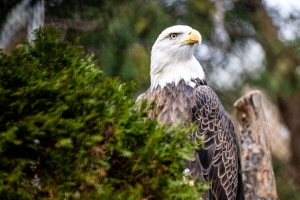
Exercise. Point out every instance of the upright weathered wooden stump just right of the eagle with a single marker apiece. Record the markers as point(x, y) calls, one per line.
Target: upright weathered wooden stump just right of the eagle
point(254, 134)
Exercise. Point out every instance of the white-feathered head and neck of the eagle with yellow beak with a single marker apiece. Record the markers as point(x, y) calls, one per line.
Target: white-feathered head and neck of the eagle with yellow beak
point(172, 57)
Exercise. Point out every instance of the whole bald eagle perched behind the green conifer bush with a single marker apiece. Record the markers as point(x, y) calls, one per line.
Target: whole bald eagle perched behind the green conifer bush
point(180, 91)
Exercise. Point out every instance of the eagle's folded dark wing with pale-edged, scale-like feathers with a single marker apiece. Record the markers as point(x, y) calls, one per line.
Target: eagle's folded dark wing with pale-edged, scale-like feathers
point(218, 162)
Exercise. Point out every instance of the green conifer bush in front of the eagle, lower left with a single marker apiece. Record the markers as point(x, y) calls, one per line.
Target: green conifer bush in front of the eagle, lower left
point(68, 132)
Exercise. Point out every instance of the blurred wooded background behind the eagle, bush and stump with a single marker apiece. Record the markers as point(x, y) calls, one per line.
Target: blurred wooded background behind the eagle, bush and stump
point(246, 44)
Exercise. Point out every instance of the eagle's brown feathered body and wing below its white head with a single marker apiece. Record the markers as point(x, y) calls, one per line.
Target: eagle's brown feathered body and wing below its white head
point(218, 162)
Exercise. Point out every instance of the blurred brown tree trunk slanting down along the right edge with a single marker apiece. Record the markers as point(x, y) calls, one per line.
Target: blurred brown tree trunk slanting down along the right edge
point(282, 59)
